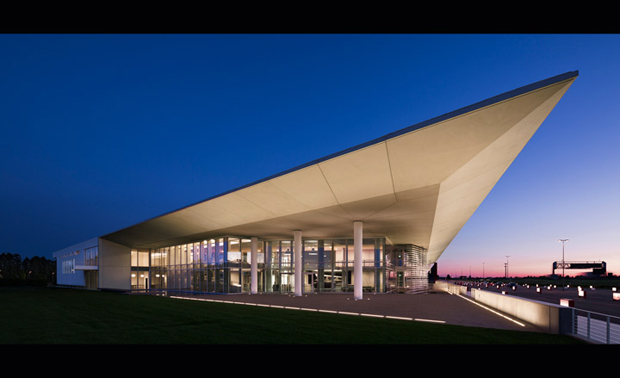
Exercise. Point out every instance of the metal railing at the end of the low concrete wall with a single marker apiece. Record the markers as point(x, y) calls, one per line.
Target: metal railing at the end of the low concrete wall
point(596, 327)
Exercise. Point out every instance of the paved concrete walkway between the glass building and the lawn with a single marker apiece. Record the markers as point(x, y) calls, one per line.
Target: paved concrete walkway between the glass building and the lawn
point(442, 308)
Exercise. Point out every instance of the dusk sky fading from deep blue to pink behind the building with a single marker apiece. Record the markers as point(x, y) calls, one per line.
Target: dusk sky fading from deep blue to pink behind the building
point(102, 131)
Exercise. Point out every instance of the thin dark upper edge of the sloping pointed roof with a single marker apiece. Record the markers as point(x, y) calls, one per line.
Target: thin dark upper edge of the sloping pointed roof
point(481, 104)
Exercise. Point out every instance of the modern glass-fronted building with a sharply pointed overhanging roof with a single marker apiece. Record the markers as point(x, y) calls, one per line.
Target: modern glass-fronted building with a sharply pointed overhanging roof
point(373, 218)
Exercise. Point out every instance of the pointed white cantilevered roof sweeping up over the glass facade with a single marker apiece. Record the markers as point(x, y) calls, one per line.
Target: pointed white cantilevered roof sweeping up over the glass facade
point(418, 185)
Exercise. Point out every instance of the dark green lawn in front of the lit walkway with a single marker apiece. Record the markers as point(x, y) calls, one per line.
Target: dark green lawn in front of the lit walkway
point(66, 316)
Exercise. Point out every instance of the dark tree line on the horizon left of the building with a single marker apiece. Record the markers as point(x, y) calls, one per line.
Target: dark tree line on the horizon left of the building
point(35, 270)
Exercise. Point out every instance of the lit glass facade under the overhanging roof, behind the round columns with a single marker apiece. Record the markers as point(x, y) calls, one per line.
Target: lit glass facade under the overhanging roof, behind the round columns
point(223, 265)
